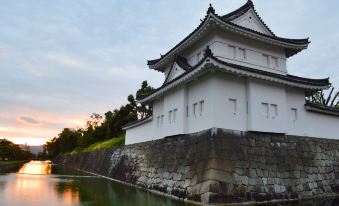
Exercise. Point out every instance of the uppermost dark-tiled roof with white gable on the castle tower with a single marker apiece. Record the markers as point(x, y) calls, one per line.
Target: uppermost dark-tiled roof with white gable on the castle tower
point(244, 21)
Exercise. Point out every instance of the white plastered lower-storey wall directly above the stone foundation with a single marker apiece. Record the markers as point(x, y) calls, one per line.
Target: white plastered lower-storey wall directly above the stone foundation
point(216, 89)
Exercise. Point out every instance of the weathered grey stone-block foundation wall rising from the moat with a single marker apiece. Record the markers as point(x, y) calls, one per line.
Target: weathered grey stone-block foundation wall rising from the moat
point(222, 166)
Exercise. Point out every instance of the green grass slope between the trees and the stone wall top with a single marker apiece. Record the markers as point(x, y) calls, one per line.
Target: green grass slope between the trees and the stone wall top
point(114, 142)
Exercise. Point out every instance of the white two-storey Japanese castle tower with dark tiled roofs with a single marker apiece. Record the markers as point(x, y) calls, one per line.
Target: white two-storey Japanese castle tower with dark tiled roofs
point(231, 73)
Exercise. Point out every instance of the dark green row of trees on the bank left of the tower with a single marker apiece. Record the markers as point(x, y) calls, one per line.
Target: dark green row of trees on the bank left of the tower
point(99, 128)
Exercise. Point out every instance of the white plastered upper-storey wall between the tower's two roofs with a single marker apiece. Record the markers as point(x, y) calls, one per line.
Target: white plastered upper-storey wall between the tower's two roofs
point(222, 44)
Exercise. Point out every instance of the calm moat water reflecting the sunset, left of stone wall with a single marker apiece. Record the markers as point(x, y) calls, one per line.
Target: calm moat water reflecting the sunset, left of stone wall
point(40, 184)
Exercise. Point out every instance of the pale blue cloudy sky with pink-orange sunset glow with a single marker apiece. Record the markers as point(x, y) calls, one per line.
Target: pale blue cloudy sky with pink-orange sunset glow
point(62, 60)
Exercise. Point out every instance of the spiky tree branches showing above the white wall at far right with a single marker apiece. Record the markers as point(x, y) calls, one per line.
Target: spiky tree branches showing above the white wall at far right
point(321, 99)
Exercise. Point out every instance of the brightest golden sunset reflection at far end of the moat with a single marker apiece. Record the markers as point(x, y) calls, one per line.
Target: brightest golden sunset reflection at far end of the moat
point(36, 168)
